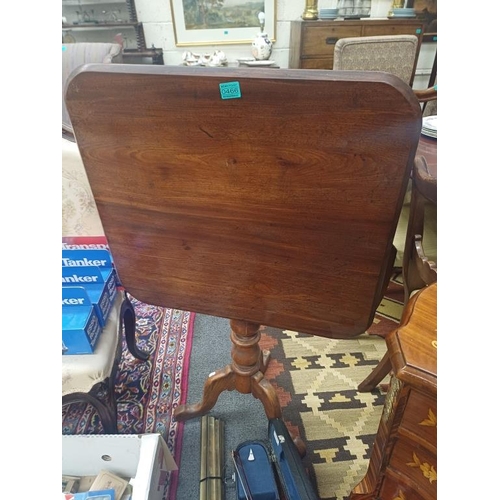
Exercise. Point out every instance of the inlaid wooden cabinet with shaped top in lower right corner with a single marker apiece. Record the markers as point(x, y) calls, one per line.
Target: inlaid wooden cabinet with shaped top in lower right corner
point(403, 464)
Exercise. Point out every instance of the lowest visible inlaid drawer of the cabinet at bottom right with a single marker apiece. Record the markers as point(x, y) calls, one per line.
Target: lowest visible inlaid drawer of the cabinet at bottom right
point(417, 464)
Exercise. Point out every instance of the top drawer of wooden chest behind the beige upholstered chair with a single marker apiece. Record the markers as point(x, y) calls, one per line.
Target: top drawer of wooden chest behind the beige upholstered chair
point(320, 41)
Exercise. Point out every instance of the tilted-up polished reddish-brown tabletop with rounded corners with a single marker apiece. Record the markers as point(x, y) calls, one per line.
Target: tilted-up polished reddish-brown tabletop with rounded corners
point(278, 207)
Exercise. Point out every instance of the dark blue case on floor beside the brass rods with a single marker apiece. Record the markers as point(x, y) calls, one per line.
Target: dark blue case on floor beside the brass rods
point(271, 470)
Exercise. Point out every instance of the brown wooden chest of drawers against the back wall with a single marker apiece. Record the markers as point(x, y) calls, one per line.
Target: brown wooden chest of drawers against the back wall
point(312, 42)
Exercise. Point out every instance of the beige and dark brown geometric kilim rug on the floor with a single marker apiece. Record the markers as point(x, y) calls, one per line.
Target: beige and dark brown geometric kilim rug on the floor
point(316, 379)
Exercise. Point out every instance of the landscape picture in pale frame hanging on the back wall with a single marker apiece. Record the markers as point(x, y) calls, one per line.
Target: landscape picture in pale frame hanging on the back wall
point(219, 22)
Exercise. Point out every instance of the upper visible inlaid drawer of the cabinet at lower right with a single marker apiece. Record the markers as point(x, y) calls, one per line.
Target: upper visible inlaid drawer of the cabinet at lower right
point(420, 418)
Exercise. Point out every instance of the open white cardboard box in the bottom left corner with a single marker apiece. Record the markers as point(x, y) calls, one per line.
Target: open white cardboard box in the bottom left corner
point(142, 458)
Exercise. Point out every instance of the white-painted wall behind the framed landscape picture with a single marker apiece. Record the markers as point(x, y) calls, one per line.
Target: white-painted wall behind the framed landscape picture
point(158, 27)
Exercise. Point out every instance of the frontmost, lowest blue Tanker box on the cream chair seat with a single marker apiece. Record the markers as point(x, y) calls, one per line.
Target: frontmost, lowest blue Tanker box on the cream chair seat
point(80, 323)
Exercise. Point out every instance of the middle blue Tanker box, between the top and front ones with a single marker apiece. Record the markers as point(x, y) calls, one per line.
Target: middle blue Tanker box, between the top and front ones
point(101, 289)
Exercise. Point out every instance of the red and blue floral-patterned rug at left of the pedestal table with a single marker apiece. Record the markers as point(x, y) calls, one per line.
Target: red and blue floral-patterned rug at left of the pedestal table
point(147, 392)
